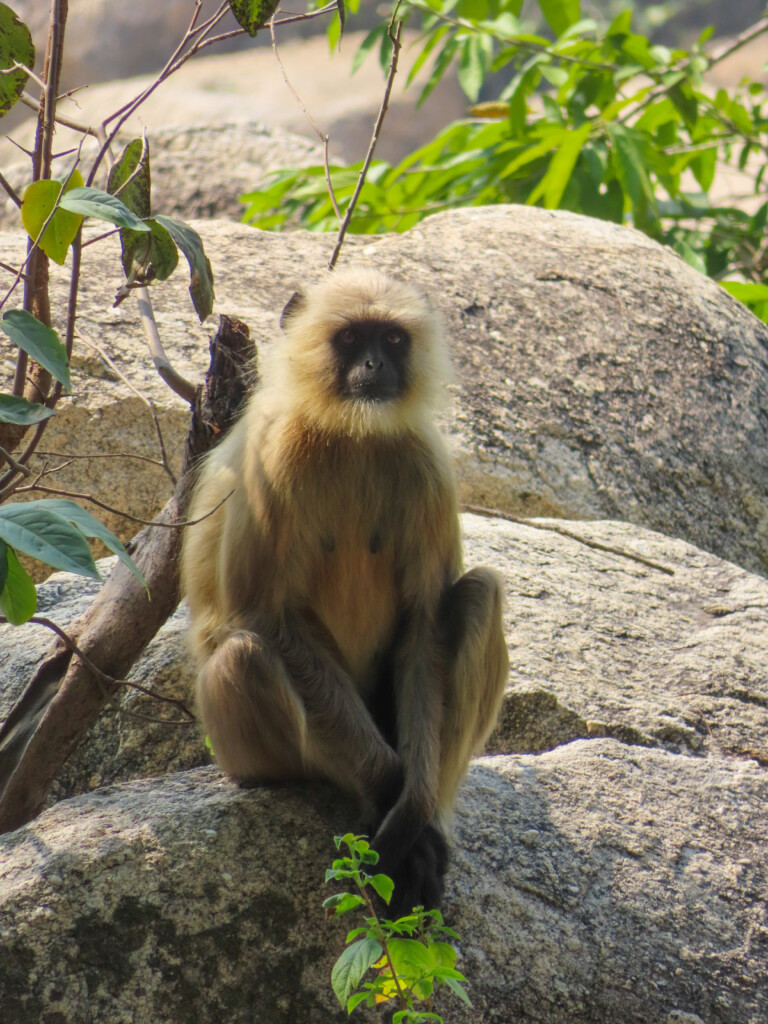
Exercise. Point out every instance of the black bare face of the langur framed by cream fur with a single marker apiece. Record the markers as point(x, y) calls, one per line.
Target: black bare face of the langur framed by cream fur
point(372, 361)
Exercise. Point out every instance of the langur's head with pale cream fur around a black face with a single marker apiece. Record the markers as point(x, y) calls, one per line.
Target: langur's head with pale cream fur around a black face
point(363, 354)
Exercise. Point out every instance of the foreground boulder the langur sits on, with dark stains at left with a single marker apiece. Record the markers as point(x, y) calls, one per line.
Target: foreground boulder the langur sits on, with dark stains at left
point(600, 882)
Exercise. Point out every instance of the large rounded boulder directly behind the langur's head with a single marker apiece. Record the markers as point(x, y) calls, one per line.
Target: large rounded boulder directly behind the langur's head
point(599, 375)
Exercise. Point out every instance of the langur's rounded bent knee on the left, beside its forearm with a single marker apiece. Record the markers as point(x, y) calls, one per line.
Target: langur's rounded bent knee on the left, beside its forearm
point(251, 713)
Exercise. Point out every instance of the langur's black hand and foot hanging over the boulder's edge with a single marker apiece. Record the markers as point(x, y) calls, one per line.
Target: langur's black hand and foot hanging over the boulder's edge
point(416, 859)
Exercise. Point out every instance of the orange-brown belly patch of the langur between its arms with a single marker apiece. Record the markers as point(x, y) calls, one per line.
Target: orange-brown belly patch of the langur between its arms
point(355, 596)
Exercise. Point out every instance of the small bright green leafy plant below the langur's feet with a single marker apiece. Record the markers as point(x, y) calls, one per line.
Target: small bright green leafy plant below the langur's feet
point(405, 960)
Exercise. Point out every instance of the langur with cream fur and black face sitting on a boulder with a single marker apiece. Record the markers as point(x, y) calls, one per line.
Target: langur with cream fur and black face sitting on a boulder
point(336, 635)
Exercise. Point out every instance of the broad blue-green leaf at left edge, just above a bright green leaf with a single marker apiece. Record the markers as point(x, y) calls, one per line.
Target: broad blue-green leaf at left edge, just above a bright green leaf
point(49, 537)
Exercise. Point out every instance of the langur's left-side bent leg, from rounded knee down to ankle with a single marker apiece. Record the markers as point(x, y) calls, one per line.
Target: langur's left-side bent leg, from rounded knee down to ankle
point(285, 713)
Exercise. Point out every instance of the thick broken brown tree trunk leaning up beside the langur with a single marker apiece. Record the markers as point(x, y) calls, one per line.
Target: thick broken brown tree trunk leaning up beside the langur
point(66, 697)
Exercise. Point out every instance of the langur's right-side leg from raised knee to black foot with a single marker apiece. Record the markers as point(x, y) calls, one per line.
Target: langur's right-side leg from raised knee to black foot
point(470, 690)
